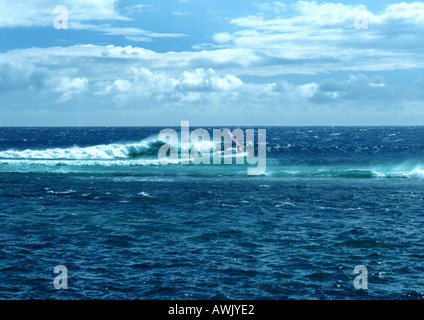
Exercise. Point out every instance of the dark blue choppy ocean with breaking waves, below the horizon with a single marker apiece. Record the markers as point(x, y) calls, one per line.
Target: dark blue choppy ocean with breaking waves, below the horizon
point(96, 201)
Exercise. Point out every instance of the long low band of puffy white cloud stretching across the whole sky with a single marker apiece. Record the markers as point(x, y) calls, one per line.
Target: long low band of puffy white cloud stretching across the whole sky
point(129, 76)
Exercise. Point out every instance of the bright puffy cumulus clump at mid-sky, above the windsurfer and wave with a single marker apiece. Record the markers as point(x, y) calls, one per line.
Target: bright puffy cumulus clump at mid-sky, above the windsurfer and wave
point(158, 87)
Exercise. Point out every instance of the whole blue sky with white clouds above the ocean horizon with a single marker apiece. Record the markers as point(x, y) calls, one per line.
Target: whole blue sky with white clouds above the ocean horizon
point(211, 62)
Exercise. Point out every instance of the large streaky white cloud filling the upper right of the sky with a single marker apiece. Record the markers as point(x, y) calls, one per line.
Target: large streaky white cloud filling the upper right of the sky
point(324, 37)
